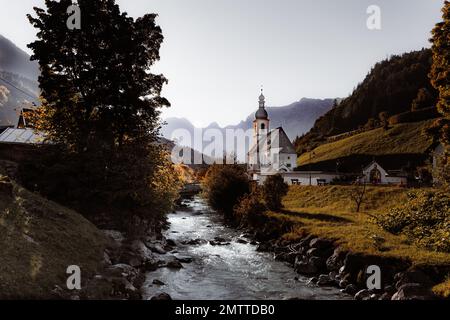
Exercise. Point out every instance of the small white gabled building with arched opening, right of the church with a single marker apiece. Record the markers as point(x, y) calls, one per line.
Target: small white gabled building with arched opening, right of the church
point(375, 174)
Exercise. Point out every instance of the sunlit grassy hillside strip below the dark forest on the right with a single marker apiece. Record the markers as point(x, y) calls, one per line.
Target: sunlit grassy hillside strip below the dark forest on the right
point(406, 138)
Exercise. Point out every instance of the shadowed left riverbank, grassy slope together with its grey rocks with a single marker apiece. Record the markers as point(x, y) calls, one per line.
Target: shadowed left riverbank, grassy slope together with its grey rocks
point(40, 239)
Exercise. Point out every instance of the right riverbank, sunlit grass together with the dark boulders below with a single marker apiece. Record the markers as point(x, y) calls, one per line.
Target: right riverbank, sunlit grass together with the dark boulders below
point(328, 241)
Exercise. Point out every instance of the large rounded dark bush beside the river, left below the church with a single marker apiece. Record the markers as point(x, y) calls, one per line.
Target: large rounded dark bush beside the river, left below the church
point(224, 186)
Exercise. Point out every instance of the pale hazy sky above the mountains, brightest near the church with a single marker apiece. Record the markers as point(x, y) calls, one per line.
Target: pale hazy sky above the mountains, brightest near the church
point(217, 53)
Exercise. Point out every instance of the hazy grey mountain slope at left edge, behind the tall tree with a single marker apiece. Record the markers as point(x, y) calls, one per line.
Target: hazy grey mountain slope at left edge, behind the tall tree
point(18, 82)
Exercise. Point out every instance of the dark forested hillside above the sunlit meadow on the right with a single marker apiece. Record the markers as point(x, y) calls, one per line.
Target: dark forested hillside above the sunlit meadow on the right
point(397, 89)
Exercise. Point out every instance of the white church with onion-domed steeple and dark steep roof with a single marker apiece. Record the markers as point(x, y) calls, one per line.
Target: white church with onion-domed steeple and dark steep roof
point(271, 151)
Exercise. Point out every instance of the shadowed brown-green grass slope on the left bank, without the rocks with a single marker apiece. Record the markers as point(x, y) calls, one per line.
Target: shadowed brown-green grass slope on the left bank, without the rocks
point(39, 240)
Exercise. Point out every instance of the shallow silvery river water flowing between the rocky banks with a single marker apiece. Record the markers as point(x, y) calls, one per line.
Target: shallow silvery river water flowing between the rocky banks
point(230, 272)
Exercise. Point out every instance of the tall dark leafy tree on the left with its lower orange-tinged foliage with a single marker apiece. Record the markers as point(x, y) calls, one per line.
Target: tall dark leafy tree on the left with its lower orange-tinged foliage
point(100, 106)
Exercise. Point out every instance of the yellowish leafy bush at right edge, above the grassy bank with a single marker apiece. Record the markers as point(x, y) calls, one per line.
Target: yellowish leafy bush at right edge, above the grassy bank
point(424, 219)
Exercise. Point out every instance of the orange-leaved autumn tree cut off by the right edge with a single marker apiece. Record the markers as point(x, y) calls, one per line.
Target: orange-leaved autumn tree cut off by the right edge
point(440, 77)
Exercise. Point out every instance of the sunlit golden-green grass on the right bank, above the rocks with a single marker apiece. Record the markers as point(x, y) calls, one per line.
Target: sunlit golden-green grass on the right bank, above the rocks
point(330, 213)
